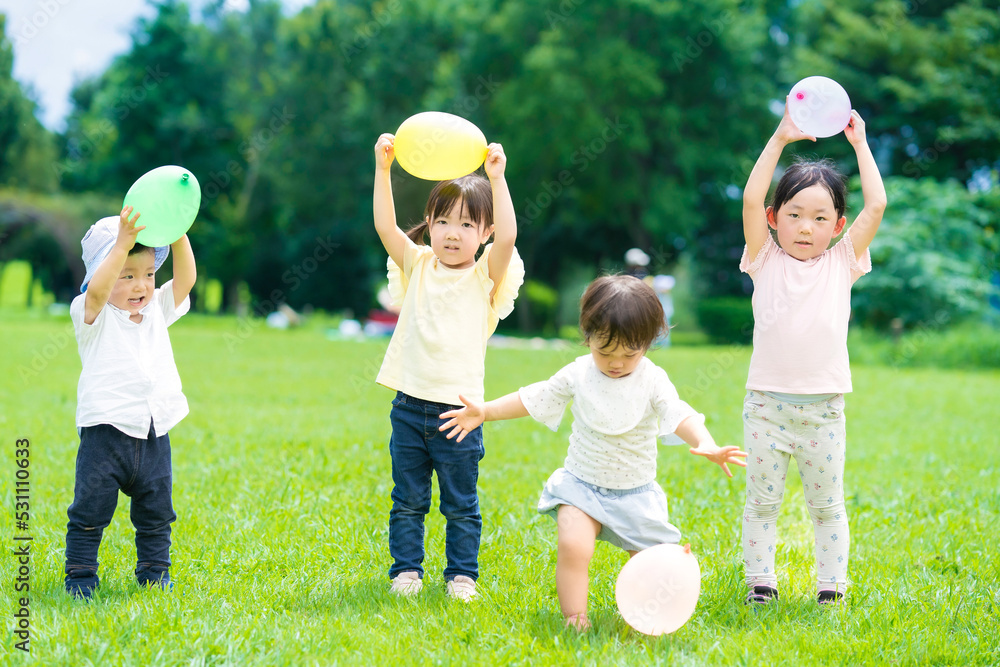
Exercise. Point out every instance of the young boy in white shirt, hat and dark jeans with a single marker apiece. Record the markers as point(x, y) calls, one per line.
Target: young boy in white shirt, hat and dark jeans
point(129, 396)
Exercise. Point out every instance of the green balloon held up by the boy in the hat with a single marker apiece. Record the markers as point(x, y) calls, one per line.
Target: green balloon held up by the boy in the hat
point(168, 199)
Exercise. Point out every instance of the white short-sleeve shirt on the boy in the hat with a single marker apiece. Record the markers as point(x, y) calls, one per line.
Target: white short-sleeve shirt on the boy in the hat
point(129, 377)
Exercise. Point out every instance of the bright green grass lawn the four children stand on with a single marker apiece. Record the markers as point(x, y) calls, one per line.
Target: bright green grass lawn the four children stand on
point(282, 482)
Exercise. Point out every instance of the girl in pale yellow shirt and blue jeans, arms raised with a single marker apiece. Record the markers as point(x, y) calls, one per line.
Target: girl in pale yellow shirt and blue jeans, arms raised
point(450, 303)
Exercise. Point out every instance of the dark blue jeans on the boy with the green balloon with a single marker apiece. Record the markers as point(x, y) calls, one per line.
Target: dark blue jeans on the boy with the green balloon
point(109, 461)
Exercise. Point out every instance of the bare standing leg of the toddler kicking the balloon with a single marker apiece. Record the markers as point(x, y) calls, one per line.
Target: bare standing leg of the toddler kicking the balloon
point(577, 536)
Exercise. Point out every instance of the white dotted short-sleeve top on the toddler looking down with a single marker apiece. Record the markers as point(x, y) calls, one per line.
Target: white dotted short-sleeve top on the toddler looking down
point(616, 421)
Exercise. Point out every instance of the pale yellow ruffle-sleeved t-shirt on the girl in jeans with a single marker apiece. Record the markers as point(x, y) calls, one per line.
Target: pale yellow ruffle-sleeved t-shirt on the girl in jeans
point(438, 349)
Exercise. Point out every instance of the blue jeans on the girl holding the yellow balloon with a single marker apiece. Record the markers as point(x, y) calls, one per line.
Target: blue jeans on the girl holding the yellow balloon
point(418, 448)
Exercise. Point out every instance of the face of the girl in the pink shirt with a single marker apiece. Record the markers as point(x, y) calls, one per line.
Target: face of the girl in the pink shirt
point(806, 223)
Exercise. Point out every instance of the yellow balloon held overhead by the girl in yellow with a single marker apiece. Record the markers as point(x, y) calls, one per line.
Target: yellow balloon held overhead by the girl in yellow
point(439, 146)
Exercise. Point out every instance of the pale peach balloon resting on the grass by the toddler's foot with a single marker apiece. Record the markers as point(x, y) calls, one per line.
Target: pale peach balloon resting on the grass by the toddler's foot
point(658, 589)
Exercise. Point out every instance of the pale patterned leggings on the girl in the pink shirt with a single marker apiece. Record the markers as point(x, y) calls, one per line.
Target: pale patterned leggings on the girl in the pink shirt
point(815, 435)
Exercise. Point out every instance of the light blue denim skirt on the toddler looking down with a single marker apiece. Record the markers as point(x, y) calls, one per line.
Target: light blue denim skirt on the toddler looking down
point(632, 519)
